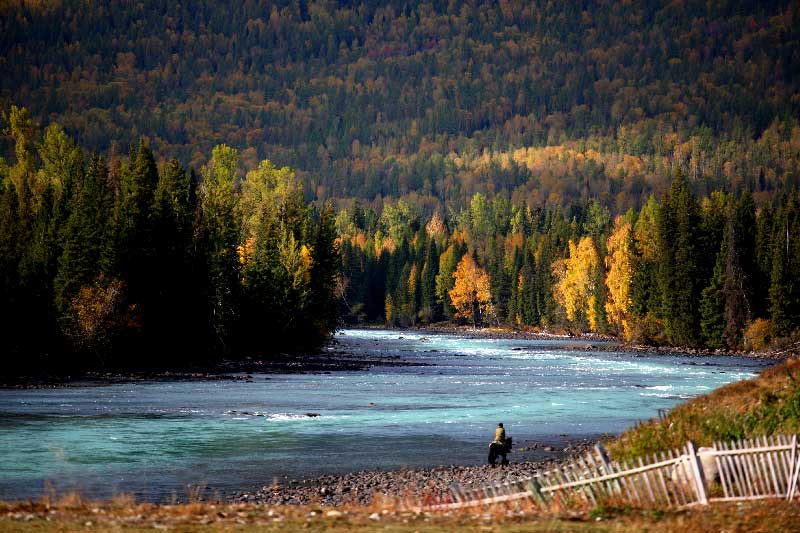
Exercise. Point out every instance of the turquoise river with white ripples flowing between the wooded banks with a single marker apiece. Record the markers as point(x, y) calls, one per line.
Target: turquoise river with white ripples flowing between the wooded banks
point(158, 439)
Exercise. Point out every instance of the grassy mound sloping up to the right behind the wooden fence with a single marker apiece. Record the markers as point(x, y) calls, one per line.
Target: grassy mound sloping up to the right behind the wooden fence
point(766, 405)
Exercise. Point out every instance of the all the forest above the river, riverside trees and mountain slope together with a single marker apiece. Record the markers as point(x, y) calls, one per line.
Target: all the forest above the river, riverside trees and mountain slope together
point(241, 176)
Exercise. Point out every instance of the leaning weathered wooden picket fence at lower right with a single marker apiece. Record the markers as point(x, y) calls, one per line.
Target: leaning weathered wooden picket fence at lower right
point(767, 467)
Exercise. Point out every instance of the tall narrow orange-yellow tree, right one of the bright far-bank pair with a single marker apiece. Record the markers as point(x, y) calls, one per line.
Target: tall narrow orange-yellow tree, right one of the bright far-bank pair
point(619, 263)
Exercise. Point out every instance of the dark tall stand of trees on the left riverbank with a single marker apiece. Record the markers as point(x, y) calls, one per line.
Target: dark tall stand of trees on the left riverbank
point(121, 264)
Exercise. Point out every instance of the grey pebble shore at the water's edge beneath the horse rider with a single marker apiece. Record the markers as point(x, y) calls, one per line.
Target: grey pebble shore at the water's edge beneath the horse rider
point(360, 488)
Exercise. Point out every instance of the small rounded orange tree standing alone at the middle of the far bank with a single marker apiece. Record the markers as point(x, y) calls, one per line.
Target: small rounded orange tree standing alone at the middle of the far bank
point(471, 295)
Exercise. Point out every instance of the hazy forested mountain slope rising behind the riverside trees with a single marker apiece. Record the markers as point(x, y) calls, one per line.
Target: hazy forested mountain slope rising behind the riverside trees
point(376, 99)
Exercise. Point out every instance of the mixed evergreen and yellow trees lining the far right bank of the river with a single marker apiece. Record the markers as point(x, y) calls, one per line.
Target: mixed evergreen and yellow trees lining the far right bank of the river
point(712, 271)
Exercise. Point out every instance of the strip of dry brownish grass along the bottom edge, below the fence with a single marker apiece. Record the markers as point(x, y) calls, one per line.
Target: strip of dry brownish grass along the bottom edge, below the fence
point(72, 513)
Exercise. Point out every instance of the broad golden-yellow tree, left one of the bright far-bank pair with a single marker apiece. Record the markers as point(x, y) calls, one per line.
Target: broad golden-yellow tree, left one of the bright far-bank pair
point(576, 283)
